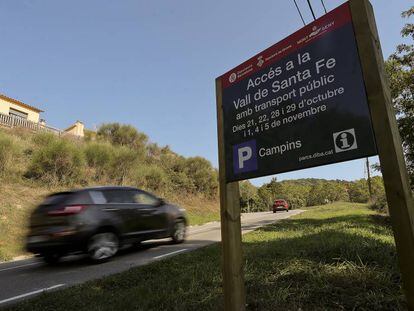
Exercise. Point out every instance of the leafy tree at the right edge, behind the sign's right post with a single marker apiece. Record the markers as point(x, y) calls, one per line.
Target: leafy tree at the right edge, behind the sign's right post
point(400, 70)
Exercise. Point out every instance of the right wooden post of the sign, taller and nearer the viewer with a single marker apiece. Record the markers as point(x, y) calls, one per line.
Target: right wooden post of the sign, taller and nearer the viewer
point(394, 171)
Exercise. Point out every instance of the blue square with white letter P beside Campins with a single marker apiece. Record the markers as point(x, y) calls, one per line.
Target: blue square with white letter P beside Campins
point(245, 157)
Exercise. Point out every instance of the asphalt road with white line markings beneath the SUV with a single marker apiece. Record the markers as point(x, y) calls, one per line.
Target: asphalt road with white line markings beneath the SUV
point(27, 278)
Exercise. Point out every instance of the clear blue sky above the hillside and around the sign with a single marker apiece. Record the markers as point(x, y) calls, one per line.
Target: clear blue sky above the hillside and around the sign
point(151, 64)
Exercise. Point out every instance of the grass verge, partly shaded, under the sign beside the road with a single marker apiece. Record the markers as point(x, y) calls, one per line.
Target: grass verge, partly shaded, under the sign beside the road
point(335, 257)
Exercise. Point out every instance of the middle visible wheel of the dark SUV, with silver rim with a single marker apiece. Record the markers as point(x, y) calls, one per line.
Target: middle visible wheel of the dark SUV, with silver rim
point(102, 246)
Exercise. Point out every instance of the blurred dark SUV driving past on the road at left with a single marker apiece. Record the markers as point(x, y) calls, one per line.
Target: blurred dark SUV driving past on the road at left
point(99, 220)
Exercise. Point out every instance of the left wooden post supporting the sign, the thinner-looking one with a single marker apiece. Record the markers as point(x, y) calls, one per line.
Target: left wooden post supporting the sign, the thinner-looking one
point(232, 259)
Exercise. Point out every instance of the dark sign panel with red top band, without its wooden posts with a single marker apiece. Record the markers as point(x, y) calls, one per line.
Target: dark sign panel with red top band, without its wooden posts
point(301, 103)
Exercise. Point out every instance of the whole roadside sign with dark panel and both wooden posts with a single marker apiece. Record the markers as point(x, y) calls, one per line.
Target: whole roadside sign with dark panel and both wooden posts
point(317, 97)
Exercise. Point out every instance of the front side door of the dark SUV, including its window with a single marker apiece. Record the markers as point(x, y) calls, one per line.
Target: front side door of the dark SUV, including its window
point(153, 215)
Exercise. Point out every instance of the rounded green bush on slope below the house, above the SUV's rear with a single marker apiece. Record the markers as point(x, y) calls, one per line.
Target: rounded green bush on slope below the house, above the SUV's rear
point(57, 161)
